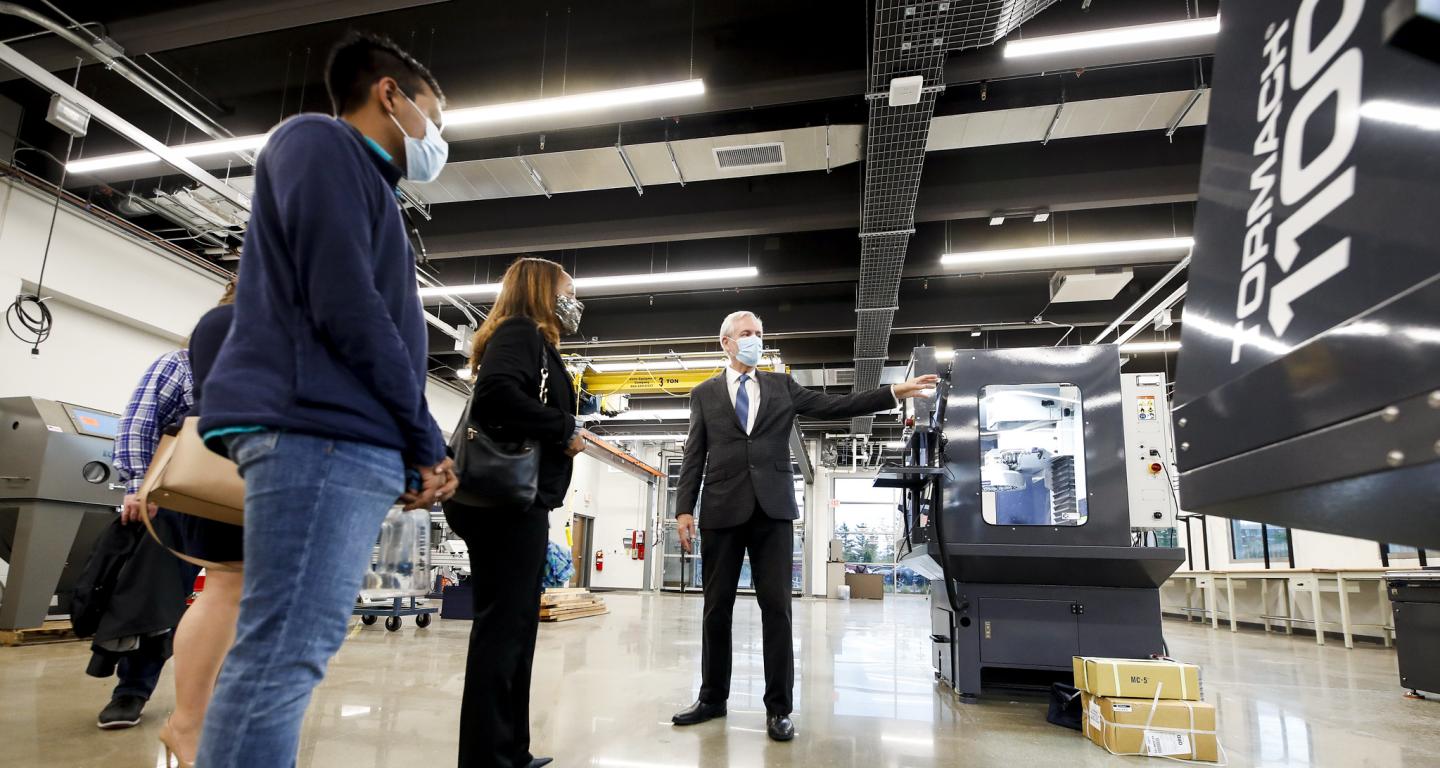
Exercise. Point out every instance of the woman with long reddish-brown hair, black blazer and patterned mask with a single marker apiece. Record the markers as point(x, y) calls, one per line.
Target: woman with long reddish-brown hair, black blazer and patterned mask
point(522, 393)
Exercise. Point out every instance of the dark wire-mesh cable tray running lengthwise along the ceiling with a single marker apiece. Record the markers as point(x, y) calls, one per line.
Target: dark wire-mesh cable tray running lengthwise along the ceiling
point(911, 40)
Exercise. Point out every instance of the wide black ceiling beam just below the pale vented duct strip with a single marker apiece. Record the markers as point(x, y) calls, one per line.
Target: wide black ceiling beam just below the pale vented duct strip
point(1084, 174)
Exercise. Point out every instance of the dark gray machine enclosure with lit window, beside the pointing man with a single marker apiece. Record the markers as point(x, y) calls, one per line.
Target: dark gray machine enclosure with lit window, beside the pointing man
point(1013, 604)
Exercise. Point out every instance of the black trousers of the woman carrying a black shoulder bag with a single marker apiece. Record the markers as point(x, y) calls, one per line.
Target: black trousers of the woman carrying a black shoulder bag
point(508, 557)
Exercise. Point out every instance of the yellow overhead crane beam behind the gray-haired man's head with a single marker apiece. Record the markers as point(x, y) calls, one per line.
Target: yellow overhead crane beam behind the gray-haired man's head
point(654, 374)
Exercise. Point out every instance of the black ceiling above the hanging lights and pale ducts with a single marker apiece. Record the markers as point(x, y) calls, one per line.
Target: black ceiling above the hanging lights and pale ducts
point(767, 67)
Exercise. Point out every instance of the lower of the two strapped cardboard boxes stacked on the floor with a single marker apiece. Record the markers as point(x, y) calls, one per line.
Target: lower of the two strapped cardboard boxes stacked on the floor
point(1179, 730)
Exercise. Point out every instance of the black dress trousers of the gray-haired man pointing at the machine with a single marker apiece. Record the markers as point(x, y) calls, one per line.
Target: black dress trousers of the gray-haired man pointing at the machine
point(722, 554)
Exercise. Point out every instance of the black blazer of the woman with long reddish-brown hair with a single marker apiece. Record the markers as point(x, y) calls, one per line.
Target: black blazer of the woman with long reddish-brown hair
point(508, 401)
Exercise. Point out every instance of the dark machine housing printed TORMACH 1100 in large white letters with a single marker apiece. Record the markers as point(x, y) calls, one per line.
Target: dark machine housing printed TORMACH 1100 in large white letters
point(1308, 391)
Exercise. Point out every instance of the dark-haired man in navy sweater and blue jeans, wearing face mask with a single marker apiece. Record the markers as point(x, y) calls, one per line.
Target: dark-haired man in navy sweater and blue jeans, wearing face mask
point(319, 391)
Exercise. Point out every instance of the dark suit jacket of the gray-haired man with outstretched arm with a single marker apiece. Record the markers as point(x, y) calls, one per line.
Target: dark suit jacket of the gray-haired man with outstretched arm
point(744, 472)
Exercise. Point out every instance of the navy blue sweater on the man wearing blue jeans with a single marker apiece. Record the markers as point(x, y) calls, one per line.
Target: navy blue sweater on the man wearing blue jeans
point(329, 338)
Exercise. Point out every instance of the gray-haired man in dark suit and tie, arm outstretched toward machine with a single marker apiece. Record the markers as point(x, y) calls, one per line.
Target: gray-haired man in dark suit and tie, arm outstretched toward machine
point(739, 442)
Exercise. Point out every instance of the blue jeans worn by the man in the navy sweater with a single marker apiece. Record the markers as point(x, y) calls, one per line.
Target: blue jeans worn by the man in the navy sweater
point(313, 514)
